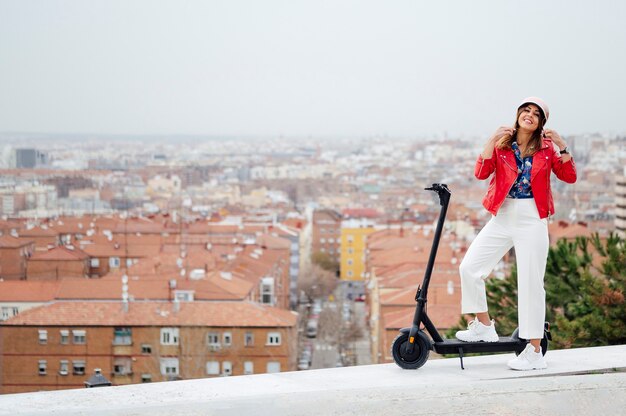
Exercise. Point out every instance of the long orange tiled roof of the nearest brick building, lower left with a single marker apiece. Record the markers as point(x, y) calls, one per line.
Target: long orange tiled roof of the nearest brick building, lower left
point(221, 314)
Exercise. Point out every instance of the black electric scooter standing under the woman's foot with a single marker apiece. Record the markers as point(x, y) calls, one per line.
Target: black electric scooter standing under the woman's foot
point(411, 347)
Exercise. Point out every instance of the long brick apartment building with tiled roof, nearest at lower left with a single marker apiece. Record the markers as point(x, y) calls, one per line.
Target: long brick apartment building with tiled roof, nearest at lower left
point(58, 346)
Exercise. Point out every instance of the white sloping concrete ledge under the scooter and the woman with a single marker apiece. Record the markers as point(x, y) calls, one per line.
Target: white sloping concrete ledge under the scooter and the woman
point(579, 381)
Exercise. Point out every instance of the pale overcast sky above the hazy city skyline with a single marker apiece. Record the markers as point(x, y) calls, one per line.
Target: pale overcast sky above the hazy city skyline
point(300, 68)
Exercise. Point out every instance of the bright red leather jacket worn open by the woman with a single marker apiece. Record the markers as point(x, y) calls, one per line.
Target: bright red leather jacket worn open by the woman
point(502, 162)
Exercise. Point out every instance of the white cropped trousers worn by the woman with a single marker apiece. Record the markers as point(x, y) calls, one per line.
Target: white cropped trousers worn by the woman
point(518, 225)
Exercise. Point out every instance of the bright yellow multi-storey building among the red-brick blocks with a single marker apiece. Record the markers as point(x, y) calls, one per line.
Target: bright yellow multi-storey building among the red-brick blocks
point(353, 237)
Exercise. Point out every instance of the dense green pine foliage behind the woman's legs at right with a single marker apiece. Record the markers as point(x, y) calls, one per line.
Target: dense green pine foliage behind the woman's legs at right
point(584, 293)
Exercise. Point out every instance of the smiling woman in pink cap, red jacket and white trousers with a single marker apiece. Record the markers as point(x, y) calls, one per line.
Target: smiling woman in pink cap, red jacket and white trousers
point(520, 200)
